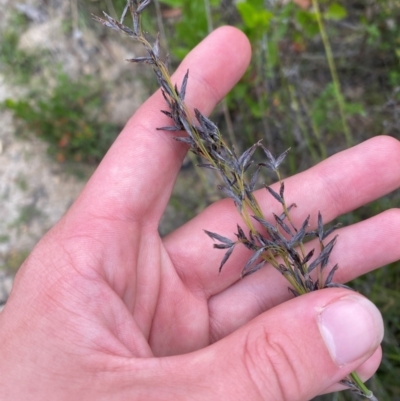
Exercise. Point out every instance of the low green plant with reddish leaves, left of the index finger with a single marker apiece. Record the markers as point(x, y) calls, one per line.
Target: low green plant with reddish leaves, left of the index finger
point(68, 119)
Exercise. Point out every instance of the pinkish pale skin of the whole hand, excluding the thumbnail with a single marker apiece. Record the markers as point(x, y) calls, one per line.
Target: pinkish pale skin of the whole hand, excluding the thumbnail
point(105, 309)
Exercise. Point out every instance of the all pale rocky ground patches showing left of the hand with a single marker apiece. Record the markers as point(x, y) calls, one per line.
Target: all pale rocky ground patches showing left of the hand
point(35, 190)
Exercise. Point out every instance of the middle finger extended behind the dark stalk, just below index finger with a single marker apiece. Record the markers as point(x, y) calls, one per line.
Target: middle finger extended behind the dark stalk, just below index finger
point(336, 186)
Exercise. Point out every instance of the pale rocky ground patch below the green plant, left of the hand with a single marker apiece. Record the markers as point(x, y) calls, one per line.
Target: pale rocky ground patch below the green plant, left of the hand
point(34, 194)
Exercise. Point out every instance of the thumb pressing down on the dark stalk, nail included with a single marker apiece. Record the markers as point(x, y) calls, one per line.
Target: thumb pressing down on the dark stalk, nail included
point(295, 351)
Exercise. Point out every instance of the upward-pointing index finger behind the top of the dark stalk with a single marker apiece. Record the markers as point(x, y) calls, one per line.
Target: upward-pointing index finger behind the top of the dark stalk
point(135, 179)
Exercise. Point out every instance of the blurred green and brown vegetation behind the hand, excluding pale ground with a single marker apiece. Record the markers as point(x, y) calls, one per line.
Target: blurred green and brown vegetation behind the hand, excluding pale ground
point(325, 75)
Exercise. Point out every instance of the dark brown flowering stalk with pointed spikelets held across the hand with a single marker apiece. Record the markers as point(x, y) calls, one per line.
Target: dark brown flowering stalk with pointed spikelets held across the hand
point(280, 244)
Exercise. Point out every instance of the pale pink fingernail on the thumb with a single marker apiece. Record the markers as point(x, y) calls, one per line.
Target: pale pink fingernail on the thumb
point(351, 327)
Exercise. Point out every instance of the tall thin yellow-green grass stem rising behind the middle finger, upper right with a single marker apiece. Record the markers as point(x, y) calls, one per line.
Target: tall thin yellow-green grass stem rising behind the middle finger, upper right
point(334, 74)
